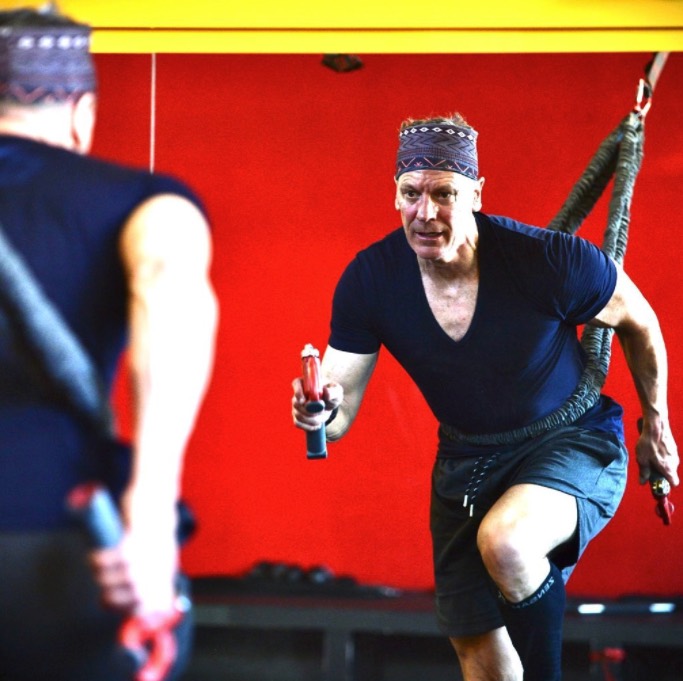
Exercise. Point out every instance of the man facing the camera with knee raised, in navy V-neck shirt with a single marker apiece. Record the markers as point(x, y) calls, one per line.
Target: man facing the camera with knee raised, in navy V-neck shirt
point(482, 313)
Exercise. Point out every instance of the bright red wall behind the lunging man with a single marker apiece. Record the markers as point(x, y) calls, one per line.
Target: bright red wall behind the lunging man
point(294, 162)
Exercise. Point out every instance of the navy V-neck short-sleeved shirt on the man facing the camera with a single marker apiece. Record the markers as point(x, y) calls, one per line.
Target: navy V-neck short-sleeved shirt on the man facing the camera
point(520, 358)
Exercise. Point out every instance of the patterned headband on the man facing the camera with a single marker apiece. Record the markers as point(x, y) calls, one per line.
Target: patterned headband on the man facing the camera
point(438, 146)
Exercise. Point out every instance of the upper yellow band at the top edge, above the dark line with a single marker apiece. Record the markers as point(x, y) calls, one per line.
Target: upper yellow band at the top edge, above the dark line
point(373, 14)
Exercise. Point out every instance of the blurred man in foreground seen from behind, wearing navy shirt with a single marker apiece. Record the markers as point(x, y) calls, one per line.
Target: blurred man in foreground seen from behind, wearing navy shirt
point(123, 256)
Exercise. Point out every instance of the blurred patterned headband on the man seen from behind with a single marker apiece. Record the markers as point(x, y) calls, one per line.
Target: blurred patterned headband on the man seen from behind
point(43, 64)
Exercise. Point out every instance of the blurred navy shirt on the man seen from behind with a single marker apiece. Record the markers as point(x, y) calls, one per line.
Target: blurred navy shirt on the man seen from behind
point(64, 213)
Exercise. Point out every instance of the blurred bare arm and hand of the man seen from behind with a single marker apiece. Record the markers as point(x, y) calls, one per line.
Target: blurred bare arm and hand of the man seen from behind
point(166, 250)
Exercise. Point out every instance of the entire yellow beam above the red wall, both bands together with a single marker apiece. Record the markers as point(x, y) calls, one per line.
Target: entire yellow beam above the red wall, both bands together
point(300, 26)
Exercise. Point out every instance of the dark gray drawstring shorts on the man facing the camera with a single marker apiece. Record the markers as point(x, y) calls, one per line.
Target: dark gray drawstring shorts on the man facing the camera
point(589, 465)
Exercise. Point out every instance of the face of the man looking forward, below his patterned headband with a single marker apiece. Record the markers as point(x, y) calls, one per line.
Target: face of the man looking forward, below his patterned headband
point(436, 210)
